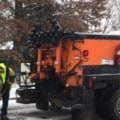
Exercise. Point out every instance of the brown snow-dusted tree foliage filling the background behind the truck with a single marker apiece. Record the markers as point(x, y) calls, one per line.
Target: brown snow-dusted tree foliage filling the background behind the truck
point(17, 21)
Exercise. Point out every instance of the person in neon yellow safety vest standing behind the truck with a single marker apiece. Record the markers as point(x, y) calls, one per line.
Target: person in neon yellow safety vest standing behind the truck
point(7, 76)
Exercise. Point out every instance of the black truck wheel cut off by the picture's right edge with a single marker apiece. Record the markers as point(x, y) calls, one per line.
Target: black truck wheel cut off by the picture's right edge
point(114, 106)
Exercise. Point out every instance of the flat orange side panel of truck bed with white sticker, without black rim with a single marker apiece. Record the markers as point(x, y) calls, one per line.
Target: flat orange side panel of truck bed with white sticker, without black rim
point(100, 51)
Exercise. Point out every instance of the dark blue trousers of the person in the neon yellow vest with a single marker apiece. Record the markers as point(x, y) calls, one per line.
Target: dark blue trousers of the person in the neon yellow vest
point(5, 99)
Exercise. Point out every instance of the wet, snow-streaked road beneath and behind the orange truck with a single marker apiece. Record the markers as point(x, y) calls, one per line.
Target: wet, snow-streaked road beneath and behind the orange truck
point(18, 111)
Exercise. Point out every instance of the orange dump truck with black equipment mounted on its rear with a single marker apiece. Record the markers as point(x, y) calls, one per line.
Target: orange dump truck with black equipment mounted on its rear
point(73, 71)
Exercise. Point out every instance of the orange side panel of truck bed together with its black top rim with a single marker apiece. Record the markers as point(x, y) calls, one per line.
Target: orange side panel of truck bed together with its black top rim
point(101, 48)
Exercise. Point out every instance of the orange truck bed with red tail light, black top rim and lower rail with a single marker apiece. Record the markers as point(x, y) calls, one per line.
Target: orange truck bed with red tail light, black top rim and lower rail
point(90, 52)
